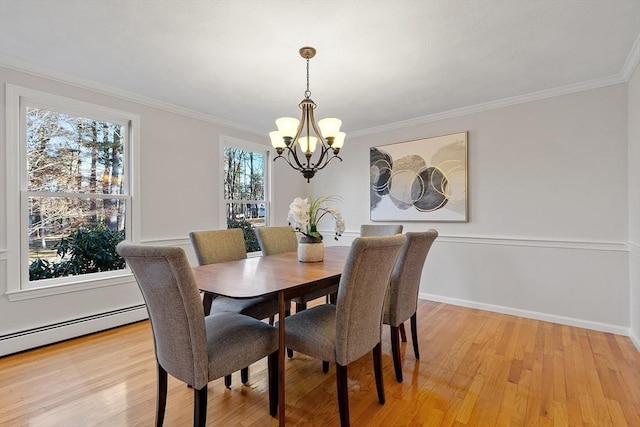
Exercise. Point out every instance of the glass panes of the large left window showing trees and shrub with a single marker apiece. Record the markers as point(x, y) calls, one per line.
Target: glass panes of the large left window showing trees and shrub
point(76, 195)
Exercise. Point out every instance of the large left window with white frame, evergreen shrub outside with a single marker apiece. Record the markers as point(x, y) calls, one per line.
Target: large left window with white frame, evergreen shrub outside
point(74, 188)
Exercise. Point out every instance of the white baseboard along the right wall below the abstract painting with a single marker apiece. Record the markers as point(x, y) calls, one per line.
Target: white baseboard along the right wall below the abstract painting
point(562, 320)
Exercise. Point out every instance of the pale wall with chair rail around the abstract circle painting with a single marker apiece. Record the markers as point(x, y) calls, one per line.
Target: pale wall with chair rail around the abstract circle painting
point(548, 209)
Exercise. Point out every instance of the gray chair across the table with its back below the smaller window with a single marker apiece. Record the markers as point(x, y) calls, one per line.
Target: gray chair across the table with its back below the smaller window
point(214, 246)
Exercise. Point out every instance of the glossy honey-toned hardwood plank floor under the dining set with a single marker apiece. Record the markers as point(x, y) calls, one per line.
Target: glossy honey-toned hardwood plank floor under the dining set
point(477, 368)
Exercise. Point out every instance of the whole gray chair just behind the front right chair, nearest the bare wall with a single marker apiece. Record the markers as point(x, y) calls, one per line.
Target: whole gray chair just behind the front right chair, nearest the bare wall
point(402, 298)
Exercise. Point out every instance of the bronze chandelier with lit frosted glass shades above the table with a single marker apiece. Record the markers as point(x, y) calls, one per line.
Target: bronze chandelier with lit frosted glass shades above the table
point(299, 138)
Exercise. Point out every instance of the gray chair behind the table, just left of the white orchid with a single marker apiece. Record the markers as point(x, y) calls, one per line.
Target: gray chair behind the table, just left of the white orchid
point(276, 240)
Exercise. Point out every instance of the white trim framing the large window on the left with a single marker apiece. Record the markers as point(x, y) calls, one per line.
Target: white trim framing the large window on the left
point(16, 270)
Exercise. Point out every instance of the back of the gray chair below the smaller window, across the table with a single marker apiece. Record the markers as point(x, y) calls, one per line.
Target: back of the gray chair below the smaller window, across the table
point(214, 246)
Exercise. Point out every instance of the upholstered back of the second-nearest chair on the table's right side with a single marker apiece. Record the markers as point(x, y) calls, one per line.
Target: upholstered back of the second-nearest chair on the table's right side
point(402, 298)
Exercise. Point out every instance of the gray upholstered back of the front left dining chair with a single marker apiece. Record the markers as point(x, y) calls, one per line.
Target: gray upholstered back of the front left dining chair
point(175, 309)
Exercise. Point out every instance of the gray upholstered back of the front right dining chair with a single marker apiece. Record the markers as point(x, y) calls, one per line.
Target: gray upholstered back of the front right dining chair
point(361, 295)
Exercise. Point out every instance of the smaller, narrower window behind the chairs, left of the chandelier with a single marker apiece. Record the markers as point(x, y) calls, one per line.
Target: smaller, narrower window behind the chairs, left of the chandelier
point(245, 188)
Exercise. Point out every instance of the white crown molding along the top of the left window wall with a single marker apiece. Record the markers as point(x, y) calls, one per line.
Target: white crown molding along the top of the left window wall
point(48, 73)
